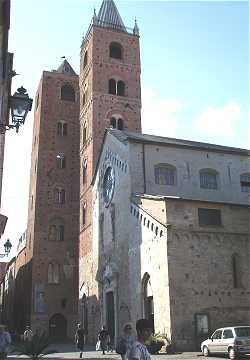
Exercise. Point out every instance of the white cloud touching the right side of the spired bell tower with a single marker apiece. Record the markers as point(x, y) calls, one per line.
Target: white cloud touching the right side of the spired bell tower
point(159, 115)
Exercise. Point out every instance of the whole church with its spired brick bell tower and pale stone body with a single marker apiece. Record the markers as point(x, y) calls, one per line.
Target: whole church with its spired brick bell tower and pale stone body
point(164, 223)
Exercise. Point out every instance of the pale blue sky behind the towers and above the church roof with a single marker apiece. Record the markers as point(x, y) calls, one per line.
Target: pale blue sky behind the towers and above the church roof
point(194, 58)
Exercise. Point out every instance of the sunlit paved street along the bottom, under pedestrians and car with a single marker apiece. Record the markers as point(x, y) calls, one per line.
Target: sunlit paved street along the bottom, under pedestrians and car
point(68, 351)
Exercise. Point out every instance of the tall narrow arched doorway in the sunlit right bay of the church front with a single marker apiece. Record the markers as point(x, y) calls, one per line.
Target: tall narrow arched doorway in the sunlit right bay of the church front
point(148, 300)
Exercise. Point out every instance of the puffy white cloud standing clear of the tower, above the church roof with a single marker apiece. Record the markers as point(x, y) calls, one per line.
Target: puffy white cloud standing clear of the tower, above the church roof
point(218, 120)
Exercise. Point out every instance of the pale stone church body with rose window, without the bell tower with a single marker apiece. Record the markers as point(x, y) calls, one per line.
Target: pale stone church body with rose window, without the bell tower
point(153, 254)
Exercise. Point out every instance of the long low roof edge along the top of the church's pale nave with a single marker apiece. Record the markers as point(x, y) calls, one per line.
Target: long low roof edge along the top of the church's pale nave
point(125, 136)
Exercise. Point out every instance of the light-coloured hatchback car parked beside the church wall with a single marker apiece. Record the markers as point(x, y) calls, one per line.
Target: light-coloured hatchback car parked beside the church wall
point(233, 341)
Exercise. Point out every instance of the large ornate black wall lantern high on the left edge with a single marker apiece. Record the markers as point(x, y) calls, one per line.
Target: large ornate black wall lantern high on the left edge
point(20, 105)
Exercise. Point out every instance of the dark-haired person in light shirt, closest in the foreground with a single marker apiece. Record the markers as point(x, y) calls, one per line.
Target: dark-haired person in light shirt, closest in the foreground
point(139, 350)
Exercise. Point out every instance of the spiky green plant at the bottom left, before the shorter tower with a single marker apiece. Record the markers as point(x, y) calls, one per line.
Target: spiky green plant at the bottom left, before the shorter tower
point(36, 348)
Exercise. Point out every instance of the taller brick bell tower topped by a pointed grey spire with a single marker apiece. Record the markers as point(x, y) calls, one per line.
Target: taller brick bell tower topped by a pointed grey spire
point(110, 96)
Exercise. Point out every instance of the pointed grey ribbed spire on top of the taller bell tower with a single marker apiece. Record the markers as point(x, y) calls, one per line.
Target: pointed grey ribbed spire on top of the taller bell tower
point(109, 16)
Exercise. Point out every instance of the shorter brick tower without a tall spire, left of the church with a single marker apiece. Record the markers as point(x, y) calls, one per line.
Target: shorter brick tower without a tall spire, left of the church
point(53, 215)
